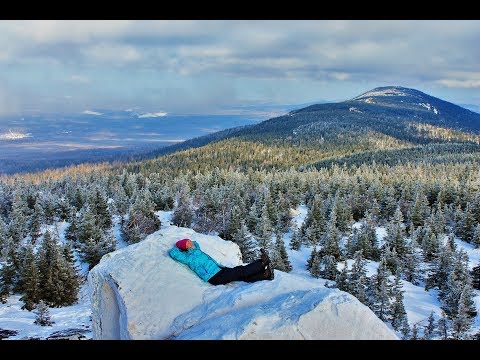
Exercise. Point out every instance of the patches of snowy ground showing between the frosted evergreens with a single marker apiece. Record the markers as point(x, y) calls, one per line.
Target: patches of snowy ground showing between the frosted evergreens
point(418, 302)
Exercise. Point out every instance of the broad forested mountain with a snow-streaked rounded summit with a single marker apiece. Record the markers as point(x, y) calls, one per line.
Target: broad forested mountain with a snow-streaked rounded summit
point(387, 124)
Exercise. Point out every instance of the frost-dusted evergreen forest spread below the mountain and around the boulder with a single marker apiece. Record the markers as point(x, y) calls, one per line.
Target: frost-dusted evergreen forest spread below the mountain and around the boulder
point(421, 207)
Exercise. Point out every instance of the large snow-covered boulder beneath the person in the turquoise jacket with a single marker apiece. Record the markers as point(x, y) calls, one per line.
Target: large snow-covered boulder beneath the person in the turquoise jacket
point(139, 292)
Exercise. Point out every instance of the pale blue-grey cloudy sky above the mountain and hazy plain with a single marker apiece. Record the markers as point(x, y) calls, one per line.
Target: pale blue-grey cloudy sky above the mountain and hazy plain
point(182, 66)
